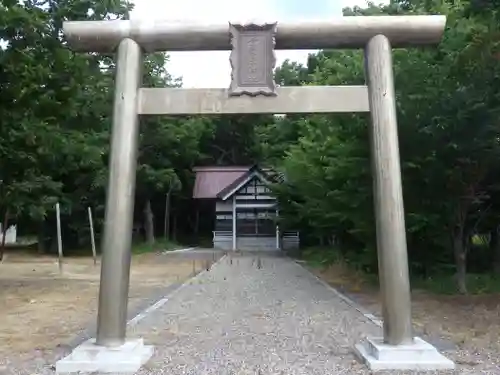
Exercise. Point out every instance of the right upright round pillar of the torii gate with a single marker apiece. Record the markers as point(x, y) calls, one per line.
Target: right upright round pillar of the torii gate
point(388, 194)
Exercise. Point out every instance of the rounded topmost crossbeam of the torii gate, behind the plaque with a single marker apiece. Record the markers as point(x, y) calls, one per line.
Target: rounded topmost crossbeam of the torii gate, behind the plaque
point(342, 32)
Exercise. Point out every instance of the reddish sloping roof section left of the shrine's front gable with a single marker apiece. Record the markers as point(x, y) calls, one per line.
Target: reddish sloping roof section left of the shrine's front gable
point(211, 180)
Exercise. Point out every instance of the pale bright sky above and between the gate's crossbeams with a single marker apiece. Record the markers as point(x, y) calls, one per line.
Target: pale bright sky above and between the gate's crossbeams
point(212, 69)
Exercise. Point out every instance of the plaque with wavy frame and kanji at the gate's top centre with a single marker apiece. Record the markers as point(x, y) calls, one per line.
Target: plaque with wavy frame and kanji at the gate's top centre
point(252, 59)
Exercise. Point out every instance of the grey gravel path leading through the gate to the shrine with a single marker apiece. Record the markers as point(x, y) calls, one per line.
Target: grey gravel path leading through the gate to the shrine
point(242, 319)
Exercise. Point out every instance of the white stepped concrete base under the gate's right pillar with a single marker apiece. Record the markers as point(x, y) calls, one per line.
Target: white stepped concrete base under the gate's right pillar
point(418, 356)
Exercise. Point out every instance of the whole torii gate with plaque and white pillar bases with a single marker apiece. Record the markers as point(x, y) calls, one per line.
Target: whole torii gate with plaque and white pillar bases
point(253, 90)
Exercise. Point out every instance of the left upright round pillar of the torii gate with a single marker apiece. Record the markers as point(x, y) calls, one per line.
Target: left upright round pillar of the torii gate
point(117, 241)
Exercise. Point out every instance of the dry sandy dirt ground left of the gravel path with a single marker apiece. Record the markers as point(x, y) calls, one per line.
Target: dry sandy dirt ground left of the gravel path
point(41, 308)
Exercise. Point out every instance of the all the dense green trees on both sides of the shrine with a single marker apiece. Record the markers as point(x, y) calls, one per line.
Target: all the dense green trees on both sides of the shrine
point(56, 108)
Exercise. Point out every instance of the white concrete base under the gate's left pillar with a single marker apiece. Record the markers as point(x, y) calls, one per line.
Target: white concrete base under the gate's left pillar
point(92, 358)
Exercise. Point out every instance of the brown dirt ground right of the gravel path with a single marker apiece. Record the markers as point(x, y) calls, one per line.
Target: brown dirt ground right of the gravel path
point(469, 322)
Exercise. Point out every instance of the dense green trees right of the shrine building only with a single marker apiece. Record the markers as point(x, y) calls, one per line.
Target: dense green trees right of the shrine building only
point(448, 105)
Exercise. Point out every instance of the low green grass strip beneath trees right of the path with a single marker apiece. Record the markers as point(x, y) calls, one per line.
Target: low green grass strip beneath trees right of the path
point(442, 284)
